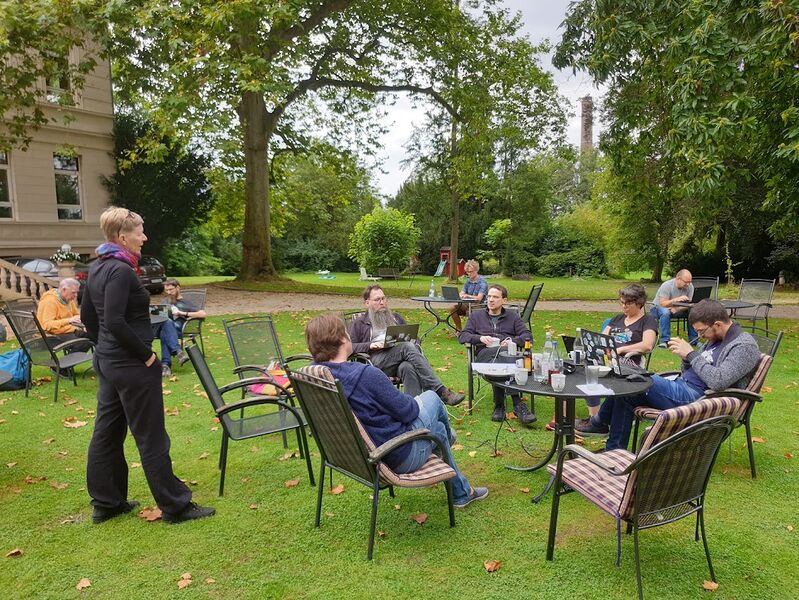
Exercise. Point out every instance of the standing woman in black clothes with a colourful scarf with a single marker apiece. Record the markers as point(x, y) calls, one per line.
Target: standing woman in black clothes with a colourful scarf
point(116, 314)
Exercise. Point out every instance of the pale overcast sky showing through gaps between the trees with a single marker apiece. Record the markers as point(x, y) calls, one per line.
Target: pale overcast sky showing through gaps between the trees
point(541, 19)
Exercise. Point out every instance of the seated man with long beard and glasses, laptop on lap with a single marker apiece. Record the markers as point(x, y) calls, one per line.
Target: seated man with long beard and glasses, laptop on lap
point(403, 360)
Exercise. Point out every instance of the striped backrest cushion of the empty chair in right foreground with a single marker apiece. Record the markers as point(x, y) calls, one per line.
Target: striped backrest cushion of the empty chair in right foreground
point(670, 422)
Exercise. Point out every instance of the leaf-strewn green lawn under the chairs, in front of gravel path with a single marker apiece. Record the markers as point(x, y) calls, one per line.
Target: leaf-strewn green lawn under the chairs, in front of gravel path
point(262, 543)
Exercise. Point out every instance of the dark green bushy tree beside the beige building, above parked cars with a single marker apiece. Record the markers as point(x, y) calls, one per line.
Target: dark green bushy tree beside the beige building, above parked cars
point(171, 194)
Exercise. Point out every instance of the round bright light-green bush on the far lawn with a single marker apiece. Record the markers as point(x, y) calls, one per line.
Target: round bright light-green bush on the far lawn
point(385, 238)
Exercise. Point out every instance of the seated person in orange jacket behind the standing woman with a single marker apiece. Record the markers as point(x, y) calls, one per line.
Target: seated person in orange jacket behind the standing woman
point(59, 316)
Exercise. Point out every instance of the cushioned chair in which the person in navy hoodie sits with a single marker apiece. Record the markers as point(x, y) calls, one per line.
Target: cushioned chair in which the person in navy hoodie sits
point(347, 448)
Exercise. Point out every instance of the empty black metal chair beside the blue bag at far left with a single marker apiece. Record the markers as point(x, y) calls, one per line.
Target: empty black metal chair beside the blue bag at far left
point(43, 352)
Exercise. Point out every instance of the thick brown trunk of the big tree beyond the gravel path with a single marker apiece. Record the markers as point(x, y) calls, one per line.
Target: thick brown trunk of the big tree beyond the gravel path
point(256, 258)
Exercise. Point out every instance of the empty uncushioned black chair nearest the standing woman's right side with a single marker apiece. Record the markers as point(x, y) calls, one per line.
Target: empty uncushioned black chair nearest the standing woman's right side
point(252, 419)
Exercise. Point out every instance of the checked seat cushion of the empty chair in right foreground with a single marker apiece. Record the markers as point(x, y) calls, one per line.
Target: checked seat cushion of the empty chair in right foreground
point(601, 488)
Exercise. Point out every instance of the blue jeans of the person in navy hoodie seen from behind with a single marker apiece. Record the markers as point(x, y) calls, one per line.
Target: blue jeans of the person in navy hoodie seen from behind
point(433, 416)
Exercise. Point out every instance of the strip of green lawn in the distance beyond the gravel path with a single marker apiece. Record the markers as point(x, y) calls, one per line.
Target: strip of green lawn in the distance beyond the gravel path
point(555, 288)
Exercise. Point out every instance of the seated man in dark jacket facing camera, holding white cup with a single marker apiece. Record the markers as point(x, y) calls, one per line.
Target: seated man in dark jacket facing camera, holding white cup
point(490, 329)
